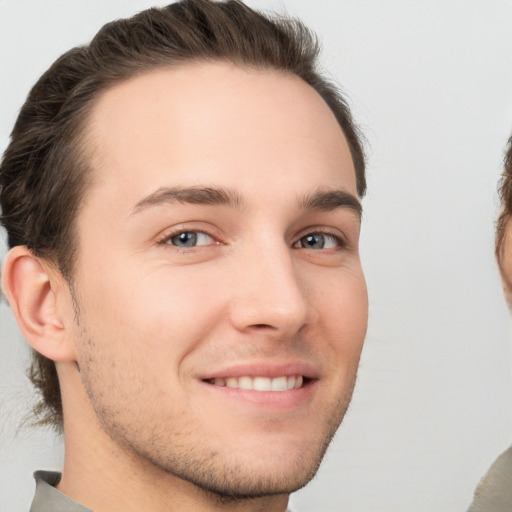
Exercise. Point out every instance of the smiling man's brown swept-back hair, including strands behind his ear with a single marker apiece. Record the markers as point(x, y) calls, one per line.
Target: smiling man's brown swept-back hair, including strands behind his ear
point(43, 173)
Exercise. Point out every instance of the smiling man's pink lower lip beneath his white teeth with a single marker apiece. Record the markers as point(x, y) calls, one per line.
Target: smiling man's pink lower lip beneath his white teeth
point(275, 400)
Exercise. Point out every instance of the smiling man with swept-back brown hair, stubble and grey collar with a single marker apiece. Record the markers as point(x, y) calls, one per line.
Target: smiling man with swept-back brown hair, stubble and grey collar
point(182, 203)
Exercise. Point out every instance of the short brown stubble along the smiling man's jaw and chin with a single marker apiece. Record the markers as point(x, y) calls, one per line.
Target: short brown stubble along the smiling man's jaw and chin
point(220, 476)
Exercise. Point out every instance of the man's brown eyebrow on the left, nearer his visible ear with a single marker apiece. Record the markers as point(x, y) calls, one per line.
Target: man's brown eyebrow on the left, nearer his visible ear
point(193, 195)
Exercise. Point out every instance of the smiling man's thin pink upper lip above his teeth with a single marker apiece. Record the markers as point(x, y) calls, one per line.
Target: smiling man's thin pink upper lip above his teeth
point(264, 369)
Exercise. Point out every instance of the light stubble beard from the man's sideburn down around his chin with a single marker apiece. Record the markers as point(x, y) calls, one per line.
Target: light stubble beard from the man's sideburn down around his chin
point(219, 475)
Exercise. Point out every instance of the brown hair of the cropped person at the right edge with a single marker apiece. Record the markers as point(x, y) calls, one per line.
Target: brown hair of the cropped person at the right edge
point(505, 195)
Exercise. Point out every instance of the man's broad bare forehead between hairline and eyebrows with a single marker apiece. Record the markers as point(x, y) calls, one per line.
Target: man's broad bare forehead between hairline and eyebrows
point(214, 122)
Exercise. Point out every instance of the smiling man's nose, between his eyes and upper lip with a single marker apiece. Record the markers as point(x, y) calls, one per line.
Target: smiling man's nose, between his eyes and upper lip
point(268, 294)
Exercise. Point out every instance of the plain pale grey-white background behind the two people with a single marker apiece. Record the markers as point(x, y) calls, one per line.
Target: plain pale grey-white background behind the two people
point(430, 84)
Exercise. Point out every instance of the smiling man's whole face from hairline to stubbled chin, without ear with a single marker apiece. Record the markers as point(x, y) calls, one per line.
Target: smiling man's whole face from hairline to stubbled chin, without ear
point(222, 305)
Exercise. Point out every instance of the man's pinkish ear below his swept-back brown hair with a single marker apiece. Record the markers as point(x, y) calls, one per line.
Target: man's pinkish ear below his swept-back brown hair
point(32, 288)
